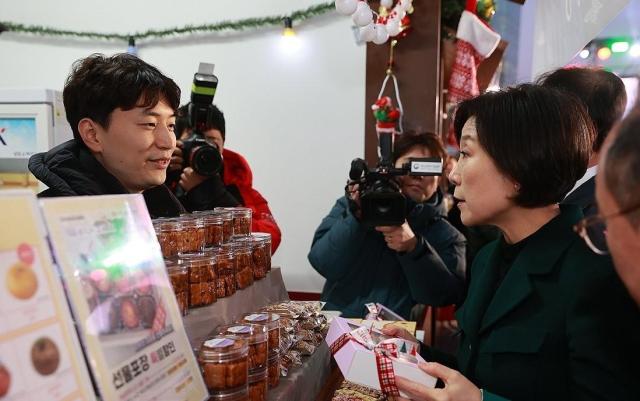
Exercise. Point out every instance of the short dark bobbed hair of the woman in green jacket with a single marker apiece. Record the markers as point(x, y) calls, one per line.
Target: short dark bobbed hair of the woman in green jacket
point(540, 137)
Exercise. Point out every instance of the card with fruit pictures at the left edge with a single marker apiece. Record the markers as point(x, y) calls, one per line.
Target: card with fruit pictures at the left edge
point(40, 355)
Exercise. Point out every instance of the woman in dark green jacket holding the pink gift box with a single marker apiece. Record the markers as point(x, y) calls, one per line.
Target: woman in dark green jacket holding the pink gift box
point(538, 319)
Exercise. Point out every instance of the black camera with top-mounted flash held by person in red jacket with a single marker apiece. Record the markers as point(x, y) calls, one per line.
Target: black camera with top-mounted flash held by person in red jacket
point(201, 155)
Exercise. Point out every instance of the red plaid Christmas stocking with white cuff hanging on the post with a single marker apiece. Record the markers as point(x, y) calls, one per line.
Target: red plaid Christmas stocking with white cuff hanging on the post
point(476, 41)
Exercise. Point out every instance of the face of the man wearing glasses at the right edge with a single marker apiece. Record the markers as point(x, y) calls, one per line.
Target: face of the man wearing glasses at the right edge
point(623, 239)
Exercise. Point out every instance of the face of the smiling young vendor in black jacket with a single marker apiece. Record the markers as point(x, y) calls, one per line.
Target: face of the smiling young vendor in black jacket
point(137, 146)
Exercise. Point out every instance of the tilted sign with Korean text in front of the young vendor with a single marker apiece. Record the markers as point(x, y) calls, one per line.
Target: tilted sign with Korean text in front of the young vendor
point(121, 298)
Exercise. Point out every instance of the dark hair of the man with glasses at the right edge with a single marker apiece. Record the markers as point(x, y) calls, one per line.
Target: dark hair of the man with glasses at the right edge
point(622, 165)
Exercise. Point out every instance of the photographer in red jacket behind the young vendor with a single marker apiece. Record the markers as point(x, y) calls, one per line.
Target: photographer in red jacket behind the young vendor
point(232, 187)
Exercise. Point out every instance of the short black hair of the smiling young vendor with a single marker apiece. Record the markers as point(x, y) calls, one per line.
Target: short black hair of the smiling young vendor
point(99, 84)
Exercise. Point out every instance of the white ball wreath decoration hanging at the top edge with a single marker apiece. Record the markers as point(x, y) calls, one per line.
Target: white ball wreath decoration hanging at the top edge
point(390, 20)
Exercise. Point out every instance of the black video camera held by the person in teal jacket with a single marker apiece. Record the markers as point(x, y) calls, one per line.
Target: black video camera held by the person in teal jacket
point(381, 202)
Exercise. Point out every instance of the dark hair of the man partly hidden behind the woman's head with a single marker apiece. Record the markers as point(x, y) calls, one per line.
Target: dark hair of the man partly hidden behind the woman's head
point(602, 92)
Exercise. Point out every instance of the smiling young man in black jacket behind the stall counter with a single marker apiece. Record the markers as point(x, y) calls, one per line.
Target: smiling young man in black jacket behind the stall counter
point(122, 113)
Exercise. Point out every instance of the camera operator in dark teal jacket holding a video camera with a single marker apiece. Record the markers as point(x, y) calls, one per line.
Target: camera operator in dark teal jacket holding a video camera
point(420, 261)
